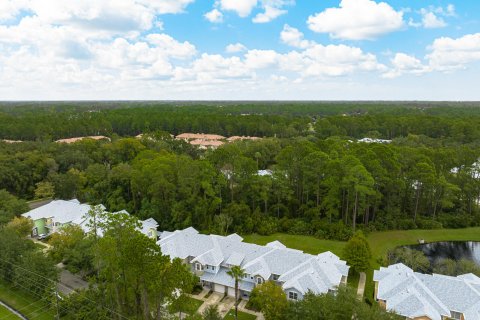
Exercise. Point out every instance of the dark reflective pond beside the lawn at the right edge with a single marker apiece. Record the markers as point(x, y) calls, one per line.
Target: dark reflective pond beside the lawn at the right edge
point(455, 250)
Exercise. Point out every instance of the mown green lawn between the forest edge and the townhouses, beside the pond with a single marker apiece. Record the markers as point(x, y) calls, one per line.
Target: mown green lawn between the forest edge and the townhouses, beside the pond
point(380, 243)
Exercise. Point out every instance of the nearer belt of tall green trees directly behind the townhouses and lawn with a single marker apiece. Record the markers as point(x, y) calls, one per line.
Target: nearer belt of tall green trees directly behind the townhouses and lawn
point(322, 187)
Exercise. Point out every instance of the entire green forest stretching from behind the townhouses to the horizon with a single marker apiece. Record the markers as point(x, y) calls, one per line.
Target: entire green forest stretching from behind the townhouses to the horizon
point(320, 181)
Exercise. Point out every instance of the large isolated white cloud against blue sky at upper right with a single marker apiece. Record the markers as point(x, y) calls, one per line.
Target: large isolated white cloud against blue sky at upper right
point(357, 20)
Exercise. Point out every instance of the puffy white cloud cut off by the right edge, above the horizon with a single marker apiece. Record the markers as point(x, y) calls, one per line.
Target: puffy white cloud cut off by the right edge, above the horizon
point(449, 54)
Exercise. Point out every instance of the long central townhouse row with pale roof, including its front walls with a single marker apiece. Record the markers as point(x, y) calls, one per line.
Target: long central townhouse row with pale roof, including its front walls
point(212, 256)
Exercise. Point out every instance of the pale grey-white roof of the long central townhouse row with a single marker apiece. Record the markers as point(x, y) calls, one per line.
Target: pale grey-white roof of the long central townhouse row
point(297, 269)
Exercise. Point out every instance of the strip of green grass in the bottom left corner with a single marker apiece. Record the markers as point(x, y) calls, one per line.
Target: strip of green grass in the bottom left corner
point(30, 306)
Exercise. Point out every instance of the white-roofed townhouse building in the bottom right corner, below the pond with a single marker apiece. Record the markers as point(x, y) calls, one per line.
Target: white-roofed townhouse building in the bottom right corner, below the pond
point(427, 296)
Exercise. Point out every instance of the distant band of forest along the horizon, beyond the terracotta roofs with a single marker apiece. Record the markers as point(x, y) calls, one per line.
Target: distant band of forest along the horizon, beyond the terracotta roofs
point(451, 123)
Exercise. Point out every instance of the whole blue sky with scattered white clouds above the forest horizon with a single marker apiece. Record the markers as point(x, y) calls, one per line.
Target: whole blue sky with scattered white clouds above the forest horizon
point(239, 50)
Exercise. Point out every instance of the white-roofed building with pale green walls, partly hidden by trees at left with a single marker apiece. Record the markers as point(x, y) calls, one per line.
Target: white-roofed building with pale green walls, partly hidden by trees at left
point(51, 217)
